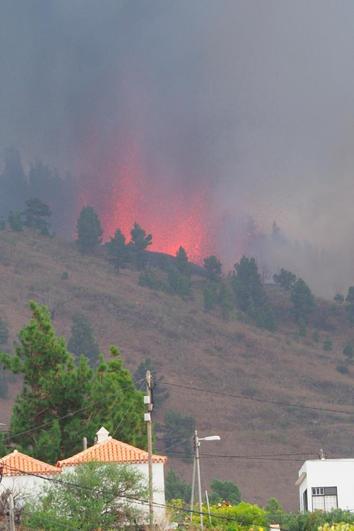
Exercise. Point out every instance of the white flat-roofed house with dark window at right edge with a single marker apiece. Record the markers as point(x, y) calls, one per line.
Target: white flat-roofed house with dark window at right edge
point(326, 484)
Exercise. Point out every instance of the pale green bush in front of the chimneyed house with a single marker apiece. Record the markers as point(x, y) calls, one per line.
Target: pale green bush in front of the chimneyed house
point(90, 497)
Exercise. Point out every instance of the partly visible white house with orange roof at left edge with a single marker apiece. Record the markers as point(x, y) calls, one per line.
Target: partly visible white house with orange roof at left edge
point(23, 475)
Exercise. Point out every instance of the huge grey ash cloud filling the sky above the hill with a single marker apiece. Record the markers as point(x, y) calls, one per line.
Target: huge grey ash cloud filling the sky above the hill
point(247, 103)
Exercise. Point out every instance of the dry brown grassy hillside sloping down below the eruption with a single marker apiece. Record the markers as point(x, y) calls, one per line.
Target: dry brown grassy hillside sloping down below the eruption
point(196, 349)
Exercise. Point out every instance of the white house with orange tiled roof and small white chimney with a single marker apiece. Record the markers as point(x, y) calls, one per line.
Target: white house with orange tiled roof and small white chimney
point(109, 450)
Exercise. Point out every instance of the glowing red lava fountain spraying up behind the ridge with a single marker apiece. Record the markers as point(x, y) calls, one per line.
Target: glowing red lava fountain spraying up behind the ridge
point(173, 216)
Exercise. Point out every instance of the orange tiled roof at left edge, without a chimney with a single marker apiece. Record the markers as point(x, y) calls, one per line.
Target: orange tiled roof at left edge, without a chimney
point(18, 464)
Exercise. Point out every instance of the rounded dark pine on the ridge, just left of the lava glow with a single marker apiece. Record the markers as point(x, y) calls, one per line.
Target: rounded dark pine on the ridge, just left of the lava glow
point(89, 230)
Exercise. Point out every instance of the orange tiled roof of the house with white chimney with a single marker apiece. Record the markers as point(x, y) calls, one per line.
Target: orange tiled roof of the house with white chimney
point(111, 451)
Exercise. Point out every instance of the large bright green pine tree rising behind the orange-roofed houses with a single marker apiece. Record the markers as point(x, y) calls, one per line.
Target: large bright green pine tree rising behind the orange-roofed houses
point(66, 396)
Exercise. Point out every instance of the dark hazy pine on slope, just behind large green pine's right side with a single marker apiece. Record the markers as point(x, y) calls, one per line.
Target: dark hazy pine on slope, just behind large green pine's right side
point(82, 339)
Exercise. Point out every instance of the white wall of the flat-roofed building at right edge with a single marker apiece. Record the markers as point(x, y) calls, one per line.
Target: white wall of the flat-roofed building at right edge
point(329, 473)
